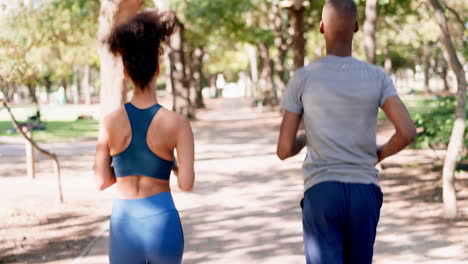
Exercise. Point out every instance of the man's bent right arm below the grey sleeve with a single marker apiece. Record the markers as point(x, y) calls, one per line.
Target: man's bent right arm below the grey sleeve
point(405, 131)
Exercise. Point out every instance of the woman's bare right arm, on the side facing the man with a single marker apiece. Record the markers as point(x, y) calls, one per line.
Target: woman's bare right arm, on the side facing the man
point(185, 156)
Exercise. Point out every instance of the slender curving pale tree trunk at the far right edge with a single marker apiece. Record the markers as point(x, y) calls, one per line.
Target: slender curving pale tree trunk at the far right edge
point(456, 138)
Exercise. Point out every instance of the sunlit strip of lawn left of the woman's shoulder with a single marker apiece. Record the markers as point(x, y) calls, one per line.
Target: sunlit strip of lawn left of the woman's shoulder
point(61, 123)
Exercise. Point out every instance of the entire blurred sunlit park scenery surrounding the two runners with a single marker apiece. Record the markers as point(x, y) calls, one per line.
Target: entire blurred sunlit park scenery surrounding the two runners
point(225, 68)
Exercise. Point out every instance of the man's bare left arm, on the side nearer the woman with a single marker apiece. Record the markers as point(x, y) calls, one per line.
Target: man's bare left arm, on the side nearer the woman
point(289, 143)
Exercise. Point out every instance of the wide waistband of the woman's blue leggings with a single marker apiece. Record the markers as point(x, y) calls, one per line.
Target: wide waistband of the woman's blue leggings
point(144, 207)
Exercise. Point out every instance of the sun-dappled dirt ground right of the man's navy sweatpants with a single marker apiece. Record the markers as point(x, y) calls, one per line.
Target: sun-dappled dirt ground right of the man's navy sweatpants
point(411, 229)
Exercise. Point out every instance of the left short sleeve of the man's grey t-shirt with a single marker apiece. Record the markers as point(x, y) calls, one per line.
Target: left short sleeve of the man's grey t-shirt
point(292, 95)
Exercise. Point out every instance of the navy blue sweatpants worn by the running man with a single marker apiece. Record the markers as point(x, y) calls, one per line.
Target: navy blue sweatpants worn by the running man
point(340, 222)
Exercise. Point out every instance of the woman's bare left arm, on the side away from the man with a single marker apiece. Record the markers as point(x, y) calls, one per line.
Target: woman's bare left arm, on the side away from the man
point(104, 173)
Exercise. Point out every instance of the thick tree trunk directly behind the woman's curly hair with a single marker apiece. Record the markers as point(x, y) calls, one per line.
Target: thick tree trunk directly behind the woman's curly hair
point(113, 87)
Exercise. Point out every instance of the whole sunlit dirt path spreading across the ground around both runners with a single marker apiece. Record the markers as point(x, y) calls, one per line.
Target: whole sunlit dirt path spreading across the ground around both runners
point(245, 206)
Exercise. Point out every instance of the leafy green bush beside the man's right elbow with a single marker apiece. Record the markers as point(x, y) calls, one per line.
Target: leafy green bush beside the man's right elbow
point(437, 124)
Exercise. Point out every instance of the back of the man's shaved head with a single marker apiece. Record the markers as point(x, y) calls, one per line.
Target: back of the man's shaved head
point(339, 19)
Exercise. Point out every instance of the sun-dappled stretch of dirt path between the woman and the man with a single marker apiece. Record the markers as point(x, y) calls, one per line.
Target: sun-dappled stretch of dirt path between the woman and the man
point(247, 201)
